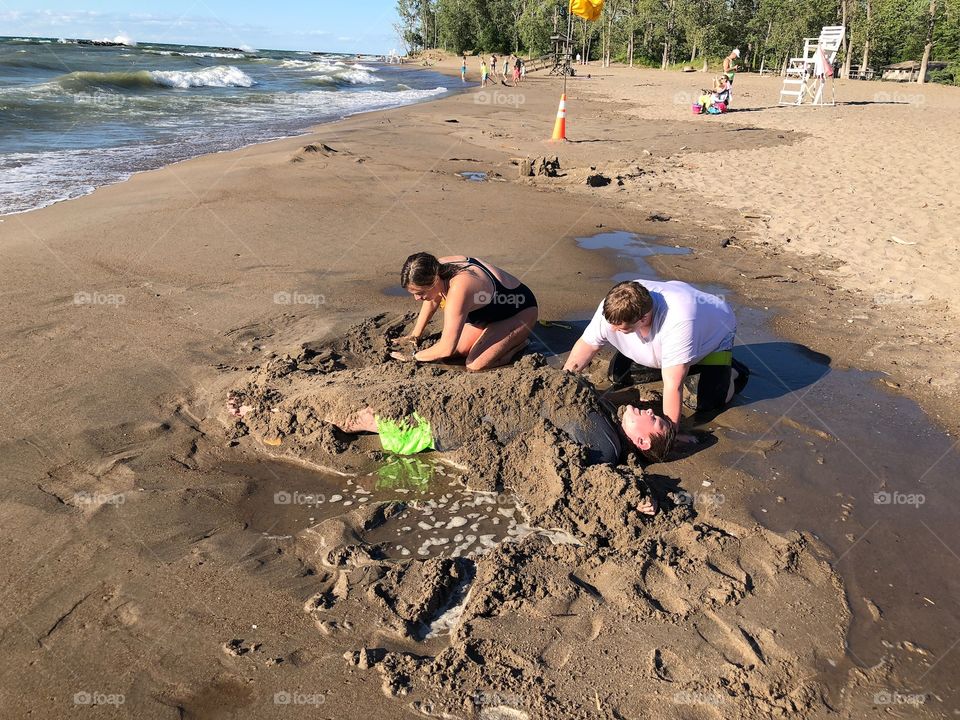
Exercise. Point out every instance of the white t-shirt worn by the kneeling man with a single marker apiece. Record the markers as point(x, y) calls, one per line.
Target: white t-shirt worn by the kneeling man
point(687, 326)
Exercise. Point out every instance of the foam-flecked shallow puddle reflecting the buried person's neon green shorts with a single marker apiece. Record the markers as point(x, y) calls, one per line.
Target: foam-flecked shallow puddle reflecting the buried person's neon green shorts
point(441, 518)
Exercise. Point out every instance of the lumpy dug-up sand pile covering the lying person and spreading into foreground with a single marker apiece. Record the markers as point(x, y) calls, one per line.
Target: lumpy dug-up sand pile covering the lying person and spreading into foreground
point(617, 615)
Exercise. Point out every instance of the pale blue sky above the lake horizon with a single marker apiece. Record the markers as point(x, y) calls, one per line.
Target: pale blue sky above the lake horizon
point(327, 25)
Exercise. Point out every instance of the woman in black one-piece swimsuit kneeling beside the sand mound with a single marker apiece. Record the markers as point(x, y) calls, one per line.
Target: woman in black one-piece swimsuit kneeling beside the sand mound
point(488, 314)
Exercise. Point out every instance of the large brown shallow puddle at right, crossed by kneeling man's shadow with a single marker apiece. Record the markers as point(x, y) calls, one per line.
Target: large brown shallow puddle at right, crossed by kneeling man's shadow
point(868, 473)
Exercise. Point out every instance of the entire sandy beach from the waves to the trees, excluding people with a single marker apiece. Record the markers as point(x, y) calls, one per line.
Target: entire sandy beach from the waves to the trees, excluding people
point(155, 559)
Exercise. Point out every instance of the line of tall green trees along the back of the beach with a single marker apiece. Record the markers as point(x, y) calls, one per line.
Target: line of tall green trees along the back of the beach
point(666, 33)
